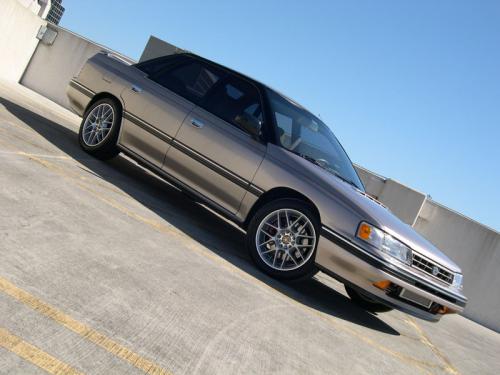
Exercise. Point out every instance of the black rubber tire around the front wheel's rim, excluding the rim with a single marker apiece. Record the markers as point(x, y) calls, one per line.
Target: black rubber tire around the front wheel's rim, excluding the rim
point(306, 270)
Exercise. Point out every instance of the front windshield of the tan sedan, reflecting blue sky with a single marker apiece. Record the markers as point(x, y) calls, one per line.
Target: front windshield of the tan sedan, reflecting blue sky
point(304, 134)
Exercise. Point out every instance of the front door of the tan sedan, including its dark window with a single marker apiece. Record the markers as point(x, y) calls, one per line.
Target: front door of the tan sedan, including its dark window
point(211, 153)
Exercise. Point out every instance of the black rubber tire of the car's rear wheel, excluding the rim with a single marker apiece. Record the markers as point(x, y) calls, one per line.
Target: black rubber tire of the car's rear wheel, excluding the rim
point(108, 148)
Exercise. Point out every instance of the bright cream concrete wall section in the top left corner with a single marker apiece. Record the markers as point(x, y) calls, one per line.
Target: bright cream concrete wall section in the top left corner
point(18, 29)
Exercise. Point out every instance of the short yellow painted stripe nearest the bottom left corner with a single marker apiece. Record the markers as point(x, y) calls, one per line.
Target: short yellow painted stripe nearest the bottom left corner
point(34, 355)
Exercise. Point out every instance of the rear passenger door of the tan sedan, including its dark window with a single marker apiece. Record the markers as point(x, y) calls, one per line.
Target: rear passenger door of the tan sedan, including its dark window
point(155, 104)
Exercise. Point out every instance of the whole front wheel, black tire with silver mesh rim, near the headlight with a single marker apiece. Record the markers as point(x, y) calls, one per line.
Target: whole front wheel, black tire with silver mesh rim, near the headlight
point(287, 250)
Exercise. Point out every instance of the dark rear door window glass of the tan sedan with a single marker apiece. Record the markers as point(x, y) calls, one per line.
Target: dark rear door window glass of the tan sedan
point(192, 80)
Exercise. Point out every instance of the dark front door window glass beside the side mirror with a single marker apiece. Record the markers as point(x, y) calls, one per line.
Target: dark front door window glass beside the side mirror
point(232, 98)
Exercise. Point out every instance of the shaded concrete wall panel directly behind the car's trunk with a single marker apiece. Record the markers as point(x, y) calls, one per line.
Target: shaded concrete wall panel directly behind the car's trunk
point(53, 65)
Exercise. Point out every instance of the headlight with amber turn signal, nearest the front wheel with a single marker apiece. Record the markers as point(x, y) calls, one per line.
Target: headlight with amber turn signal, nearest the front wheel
point(384, 242)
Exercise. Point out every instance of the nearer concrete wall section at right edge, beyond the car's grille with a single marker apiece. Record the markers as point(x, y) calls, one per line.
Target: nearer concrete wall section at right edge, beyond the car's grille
point(476, 249)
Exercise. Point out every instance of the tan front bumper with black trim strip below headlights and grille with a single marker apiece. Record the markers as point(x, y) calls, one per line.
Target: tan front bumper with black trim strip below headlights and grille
point(359, 268)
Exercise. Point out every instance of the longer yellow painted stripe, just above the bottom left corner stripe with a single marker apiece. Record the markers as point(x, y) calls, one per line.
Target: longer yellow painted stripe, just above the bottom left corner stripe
point(81, 329)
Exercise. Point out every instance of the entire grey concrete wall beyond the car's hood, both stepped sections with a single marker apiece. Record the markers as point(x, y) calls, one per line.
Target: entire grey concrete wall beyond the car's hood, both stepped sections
point(473, 246)
